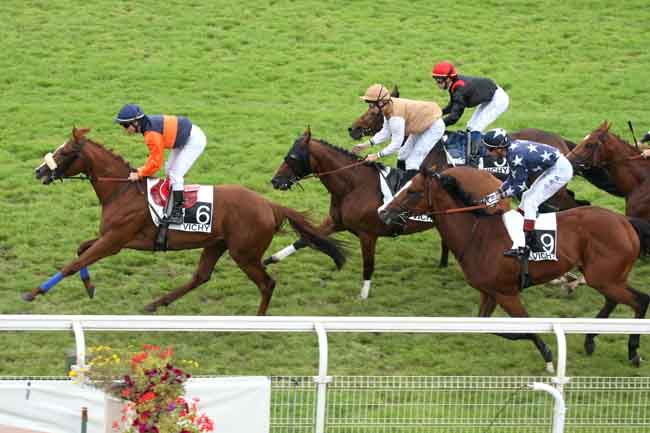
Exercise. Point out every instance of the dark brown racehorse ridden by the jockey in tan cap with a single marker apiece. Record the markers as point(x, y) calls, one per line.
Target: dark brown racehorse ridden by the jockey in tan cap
point(355, 195)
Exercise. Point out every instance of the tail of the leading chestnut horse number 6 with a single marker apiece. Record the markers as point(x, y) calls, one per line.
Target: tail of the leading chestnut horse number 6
point(310, 234)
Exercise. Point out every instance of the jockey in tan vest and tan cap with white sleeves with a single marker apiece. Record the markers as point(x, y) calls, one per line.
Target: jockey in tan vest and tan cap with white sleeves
point(420, 120)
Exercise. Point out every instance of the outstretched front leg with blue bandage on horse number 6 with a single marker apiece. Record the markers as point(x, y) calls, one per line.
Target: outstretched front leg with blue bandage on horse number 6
point(102, 247)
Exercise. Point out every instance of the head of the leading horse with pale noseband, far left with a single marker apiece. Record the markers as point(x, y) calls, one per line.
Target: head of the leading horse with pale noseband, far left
point(66, 160)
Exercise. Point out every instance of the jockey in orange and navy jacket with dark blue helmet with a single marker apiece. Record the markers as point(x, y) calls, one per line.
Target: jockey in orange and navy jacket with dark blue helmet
point(177, 133)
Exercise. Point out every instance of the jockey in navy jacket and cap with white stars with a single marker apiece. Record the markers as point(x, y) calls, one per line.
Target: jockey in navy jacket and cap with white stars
point(524, 158)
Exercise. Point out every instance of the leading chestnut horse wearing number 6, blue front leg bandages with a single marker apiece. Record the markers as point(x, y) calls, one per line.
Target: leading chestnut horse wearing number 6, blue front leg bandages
point(244, 222)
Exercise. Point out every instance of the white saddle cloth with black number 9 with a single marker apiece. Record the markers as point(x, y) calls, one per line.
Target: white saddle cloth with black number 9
point(545, 247)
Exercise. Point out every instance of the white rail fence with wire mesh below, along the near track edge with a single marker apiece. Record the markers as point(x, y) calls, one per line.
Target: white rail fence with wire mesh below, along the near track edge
point(411, 404)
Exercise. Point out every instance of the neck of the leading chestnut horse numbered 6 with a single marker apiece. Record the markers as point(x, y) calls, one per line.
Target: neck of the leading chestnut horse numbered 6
point(103, 163)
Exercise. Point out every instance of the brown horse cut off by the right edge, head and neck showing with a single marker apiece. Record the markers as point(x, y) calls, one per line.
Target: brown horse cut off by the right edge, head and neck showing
point(624, 164)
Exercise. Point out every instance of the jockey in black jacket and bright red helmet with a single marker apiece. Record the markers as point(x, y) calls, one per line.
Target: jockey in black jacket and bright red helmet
point(468, 92)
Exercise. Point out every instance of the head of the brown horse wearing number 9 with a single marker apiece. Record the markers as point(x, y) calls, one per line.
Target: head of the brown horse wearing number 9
point(415, 198)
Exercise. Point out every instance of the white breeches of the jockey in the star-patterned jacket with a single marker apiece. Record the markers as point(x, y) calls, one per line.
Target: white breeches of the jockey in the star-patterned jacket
point(545, 186)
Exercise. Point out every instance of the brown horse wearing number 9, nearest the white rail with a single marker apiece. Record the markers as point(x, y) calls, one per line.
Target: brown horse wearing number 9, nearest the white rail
point(604, 245)
